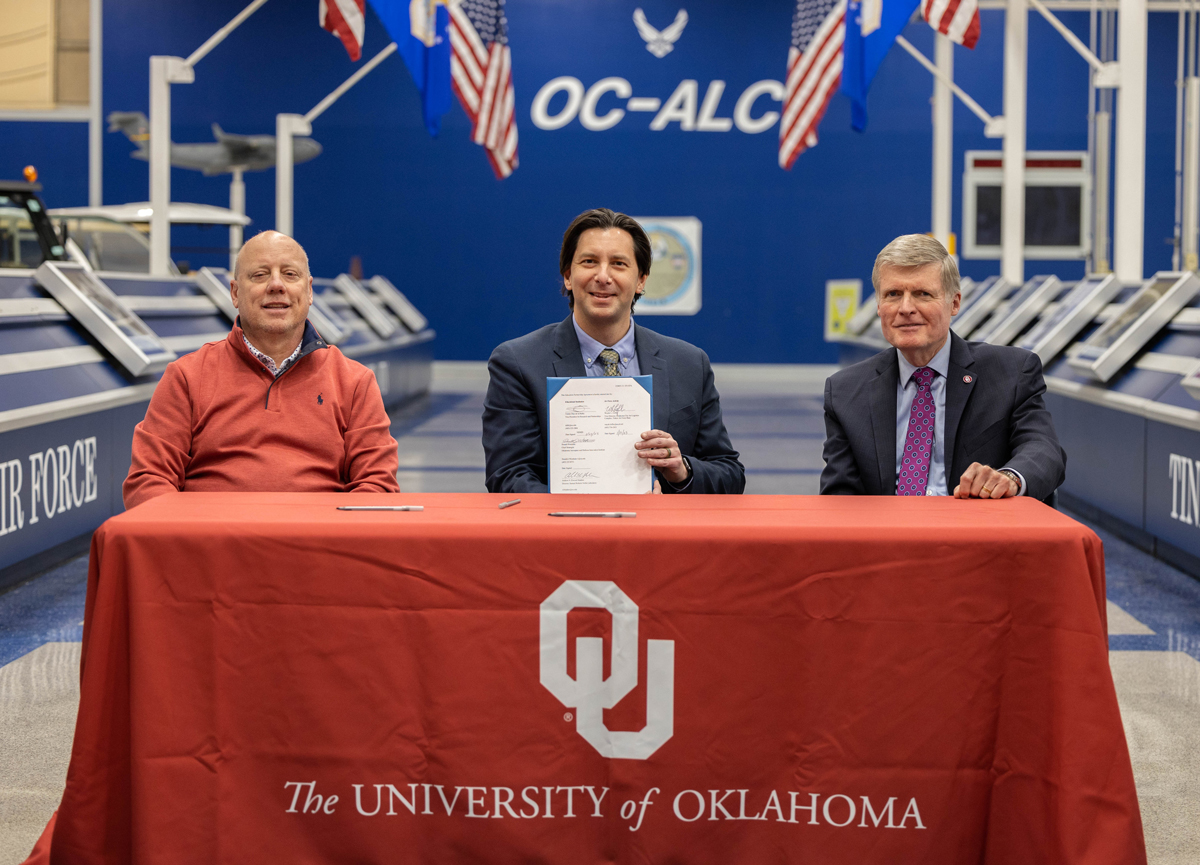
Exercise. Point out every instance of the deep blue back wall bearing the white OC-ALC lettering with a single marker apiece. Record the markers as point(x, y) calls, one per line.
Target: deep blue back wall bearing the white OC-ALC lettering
point(479, 256)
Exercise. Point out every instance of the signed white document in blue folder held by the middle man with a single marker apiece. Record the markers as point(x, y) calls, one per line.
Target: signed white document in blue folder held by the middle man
point(593, 427)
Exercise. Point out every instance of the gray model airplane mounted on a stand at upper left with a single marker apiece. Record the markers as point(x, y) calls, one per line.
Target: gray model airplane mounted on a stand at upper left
point(227, 154)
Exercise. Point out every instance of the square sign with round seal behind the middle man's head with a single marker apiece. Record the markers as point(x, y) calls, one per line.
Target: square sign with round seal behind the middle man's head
point(674, 285)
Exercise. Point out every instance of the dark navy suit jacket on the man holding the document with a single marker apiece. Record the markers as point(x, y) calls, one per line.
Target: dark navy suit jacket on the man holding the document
point(686, 405)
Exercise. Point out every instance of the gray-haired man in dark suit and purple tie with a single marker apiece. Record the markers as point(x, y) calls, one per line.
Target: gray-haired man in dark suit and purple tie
point(937, 416)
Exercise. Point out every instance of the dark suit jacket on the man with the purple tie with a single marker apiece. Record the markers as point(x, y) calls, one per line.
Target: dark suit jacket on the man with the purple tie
point(998, 418)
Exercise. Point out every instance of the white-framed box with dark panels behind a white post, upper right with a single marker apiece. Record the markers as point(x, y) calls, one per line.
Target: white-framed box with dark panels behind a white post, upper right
point(1058, 205)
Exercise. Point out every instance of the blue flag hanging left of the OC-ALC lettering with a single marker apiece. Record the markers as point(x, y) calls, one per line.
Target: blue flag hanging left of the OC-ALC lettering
point(422, 32)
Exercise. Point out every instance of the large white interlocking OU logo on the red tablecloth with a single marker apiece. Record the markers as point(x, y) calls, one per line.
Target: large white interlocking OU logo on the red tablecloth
point(590, 694)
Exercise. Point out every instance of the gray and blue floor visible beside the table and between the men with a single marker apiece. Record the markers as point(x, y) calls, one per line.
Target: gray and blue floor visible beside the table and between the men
point(775, 419)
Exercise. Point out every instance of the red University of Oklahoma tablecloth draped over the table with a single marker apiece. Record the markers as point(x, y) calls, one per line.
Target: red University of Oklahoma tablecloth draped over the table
point(831, 681)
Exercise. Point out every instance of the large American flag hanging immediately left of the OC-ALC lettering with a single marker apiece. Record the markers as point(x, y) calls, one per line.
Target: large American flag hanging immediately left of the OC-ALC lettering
point(482, 76)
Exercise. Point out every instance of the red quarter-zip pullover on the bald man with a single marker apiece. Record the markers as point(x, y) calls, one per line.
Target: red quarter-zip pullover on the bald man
point(219, 422)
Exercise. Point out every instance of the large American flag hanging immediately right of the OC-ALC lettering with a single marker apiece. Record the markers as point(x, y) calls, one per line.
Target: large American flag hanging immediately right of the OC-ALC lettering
point(814, 71)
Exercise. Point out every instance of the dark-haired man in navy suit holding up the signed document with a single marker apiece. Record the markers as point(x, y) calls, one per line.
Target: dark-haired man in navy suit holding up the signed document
point(604, 262)
